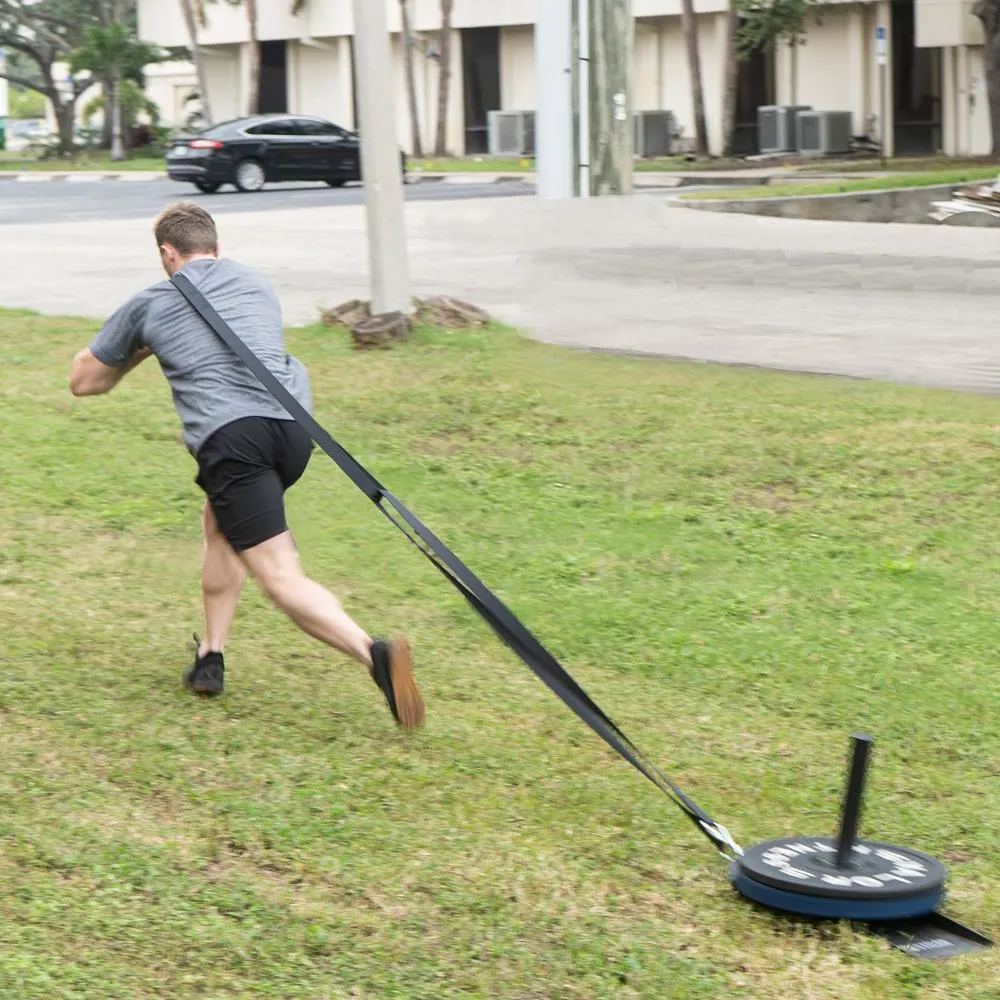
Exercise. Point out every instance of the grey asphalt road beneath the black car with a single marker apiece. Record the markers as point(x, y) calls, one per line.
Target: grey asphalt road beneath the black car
point(91, 200)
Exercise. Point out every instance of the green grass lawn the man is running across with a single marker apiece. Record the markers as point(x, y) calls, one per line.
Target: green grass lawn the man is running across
point(742, 567)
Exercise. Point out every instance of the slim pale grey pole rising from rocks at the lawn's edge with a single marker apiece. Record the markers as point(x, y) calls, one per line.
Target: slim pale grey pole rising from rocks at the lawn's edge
point(380, 162)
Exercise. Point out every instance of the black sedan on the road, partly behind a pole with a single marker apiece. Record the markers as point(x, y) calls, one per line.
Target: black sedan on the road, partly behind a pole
point(250, 152)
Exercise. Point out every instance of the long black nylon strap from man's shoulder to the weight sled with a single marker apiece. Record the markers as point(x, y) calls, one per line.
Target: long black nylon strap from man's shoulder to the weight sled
point(500, 618)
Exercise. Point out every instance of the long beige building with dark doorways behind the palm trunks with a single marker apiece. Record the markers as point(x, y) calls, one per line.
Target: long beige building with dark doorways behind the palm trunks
point(935, 87)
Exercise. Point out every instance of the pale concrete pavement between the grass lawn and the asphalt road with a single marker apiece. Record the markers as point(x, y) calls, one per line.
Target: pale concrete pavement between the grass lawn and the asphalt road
point(909, 304)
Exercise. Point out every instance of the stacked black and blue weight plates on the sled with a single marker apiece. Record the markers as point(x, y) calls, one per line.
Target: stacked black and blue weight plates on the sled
point(801, 874)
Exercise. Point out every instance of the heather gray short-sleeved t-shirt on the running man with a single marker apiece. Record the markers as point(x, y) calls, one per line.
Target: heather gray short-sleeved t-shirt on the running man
point(211, 386)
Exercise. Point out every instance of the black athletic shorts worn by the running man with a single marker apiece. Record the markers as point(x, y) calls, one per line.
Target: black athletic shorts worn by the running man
point(245, 469)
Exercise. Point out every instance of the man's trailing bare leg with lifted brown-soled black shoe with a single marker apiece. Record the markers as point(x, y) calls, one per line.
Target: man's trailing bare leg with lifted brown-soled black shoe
point(275, 564)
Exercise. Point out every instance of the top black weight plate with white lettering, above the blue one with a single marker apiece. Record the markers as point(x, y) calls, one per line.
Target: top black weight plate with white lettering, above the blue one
point(808, 866)
